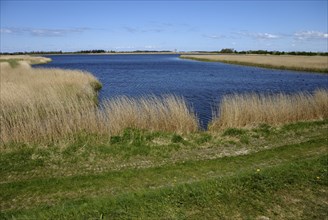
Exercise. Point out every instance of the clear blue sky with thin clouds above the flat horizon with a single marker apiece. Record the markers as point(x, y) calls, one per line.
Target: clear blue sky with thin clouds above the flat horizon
point(164, 25)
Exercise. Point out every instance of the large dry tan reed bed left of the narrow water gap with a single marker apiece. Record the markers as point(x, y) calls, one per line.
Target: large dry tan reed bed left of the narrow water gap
point(42, 105)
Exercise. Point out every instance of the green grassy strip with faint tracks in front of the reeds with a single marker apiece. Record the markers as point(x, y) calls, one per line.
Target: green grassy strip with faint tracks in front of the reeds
point(276, 172)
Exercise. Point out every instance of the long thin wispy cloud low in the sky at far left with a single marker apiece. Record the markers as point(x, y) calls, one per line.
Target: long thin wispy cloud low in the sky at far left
point(42, 32)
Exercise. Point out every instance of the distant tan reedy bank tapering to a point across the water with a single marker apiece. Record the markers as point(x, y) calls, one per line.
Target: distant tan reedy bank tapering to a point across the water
point(288, 62)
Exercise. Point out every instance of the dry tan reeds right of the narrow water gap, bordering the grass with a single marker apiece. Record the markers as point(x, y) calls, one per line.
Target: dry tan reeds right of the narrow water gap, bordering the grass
point(249, 110)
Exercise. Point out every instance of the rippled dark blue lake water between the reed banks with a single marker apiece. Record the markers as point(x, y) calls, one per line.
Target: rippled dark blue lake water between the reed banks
point(202, 84)
